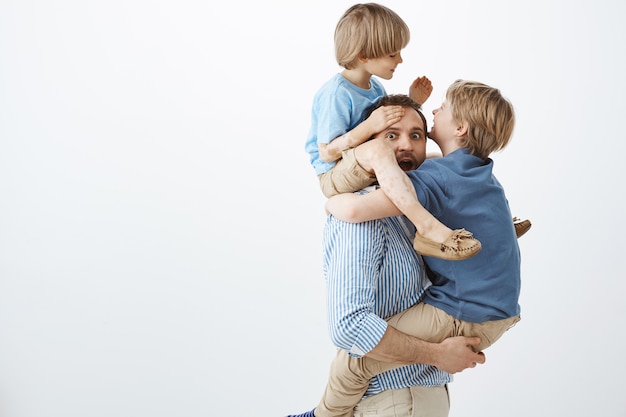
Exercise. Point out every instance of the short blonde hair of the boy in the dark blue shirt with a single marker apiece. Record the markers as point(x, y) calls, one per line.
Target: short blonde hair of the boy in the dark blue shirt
point(489, 115)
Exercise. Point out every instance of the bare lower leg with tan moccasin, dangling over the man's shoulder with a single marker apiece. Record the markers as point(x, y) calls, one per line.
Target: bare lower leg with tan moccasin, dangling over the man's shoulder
point(433, 237)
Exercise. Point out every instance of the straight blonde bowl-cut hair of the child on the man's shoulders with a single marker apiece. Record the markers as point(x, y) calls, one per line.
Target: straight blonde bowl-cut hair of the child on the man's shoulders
point(368, 31)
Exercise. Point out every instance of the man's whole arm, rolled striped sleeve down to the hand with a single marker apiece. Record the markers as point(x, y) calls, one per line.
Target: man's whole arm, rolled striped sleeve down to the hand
point(353, 254)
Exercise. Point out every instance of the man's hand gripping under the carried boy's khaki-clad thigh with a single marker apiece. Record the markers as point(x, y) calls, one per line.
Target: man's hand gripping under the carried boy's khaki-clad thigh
point(455, 354)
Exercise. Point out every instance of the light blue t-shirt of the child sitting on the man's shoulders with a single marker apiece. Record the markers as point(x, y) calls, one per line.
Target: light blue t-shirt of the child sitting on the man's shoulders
point(338, 107)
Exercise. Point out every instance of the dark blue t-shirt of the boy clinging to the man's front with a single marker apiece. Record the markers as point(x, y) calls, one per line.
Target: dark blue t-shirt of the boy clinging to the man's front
point(461, 191)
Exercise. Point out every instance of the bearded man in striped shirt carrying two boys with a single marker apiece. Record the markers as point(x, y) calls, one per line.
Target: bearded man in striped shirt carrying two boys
point(373, 273)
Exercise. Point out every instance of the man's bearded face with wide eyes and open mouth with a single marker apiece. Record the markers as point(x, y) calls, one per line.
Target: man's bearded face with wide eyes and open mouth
point(408, 140)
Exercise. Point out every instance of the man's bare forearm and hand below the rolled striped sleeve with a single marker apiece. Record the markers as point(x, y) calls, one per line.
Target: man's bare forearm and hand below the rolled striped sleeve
point(452, 355)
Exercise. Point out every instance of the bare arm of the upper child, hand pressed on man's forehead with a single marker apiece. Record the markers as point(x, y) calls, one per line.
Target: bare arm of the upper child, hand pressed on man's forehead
point(379, 120)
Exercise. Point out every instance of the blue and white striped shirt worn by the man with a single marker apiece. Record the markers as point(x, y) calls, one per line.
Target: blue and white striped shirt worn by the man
point(372, 272)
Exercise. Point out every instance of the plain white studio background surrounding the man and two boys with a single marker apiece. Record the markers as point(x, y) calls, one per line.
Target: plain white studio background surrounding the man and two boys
point(160, 226)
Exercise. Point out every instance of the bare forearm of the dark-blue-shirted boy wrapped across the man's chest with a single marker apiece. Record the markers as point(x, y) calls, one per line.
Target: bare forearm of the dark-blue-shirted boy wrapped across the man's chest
point(357, 208)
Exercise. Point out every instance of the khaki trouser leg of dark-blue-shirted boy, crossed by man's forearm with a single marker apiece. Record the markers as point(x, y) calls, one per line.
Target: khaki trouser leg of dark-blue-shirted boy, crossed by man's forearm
point(350, 377)
